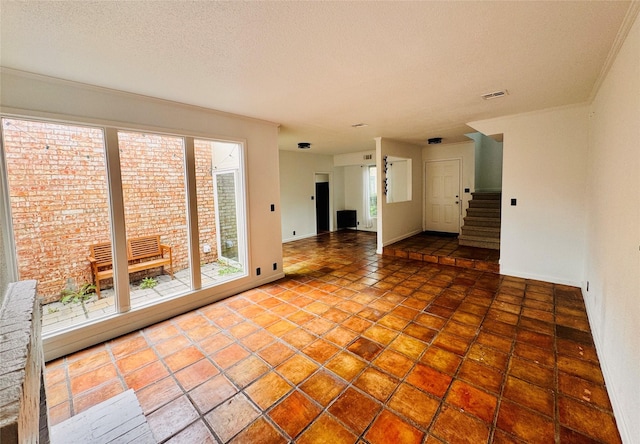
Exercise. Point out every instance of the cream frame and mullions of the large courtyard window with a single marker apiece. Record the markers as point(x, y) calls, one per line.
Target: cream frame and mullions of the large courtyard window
point(125, 318)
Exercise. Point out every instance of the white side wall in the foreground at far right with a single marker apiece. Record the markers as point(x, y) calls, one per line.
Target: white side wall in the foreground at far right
point(613, 233)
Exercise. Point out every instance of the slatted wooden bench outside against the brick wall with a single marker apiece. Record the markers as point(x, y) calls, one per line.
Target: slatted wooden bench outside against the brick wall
point(143, 253)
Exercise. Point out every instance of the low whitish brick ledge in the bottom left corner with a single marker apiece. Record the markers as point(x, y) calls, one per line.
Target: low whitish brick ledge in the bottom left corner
point(23, 408)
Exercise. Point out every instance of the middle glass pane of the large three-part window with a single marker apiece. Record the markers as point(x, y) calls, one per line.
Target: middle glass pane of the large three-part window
point(153, 185)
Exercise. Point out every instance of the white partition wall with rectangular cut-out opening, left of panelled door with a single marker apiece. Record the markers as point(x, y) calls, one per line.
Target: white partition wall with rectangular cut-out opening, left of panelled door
point(399, 220)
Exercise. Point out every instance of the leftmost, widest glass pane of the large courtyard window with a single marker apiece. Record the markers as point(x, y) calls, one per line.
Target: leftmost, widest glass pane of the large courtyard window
point(60, 208)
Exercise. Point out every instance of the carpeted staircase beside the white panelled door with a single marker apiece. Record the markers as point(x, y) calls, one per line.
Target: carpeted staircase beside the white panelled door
point(481, 227)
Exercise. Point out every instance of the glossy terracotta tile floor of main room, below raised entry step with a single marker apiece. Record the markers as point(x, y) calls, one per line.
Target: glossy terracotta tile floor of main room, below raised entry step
point(354, 347)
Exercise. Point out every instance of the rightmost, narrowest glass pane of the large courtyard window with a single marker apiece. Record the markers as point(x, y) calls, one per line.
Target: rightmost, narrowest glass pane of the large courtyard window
point(220, 211)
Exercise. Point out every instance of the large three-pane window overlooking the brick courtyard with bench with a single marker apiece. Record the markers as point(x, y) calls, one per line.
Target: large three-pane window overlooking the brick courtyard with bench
point(65, 183)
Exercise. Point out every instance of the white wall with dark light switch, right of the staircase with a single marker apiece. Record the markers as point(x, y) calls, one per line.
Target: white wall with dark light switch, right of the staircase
point(544, 168)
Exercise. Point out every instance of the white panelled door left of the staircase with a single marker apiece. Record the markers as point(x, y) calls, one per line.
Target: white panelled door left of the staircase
point(442, 201)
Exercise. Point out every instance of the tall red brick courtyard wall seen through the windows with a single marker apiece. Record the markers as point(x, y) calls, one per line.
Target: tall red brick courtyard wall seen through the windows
point(59, 199)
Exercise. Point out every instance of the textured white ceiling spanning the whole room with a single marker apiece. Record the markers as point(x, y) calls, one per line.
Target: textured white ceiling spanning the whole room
point(410, 70)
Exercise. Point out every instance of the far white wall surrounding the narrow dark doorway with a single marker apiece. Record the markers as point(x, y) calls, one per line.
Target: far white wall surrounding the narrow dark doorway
point(297, 186)
